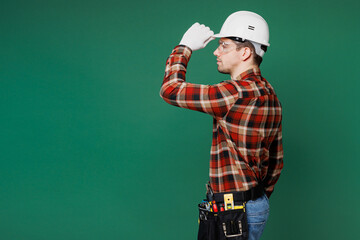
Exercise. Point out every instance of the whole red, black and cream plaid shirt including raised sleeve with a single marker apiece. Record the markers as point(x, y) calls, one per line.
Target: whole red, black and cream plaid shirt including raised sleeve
point(247, 142)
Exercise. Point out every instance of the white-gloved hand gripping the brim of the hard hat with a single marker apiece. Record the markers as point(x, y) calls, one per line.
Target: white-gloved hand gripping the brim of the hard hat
point(197, 37)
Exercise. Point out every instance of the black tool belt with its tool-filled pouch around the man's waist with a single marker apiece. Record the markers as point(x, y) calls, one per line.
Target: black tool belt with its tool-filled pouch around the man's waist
point(222, 216)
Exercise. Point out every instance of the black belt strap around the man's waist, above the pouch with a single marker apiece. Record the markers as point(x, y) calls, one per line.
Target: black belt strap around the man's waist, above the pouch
point(248, 195)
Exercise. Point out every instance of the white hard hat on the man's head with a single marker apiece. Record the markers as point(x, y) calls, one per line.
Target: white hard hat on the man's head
point(247, 26)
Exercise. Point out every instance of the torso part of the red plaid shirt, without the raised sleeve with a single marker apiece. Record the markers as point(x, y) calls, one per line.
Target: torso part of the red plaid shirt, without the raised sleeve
point(240, 153)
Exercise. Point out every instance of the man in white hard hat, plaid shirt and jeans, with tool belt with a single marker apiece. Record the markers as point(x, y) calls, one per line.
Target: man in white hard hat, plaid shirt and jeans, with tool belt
point(246, 153)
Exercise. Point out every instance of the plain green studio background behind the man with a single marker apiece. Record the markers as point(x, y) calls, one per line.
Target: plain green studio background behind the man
point(90, 151)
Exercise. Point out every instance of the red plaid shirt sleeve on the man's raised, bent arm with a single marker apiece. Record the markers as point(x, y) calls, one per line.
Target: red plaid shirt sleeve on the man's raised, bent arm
point(215, 100)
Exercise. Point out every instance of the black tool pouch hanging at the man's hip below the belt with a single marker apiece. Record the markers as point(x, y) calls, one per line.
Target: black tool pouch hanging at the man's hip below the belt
point(224, 225)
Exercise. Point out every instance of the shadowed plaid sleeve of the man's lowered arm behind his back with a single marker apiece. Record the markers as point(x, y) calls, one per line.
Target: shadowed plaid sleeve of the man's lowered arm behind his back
point(275, 163)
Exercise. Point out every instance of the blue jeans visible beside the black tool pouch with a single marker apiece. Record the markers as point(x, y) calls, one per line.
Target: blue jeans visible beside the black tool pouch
point(257, 214)
